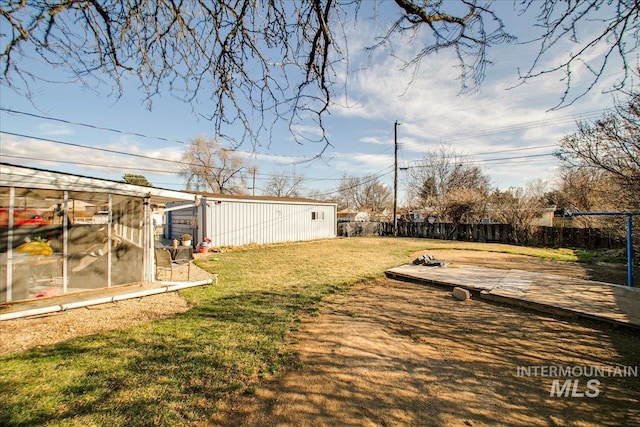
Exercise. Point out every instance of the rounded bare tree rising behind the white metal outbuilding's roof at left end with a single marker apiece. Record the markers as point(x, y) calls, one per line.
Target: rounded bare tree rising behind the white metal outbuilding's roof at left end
point(208, 166)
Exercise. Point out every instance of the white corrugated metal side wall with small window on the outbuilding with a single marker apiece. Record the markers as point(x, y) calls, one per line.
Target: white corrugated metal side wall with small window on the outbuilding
point(238, 222)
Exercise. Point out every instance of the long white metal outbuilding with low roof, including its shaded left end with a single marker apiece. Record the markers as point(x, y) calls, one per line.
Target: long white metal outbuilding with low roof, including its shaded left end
point(230, 220)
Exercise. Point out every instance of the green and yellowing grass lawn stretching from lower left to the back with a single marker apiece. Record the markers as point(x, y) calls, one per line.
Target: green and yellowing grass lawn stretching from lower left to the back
point(175, 371)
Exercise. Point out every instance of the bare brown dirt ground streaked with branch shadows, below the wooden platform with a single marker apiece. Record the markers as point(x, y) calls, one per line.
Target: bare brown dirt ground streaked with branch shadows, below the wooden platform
point(394, 353)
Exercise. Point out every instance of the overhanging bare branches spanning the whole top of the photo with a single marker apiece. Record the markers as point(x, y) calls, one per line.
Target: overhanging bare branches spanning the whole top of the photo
point(259, 62)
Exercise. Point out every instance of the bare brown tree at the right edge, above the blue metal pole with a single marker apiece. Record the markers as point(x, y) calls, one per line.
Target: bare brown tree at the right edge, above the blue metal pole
point(609, 149)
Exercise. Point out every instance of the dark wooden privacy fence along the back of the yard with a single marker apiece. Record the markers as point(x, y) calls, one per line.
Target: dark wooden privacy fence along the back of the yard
point(591, 238)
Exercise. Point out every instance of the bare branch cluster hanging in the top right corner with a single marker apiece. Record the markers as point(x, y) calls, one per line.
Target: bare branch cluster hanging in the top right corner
point(613, 26)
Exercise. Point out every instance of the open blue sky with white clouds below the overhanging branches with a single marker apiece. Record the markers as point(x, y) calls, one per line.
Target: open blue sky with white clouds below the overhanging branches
point(506, 129)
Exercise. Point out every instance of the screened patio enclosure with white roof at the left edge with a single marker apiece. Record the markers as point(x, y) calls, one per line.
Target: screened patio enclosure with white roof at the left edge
point(112, 245)
